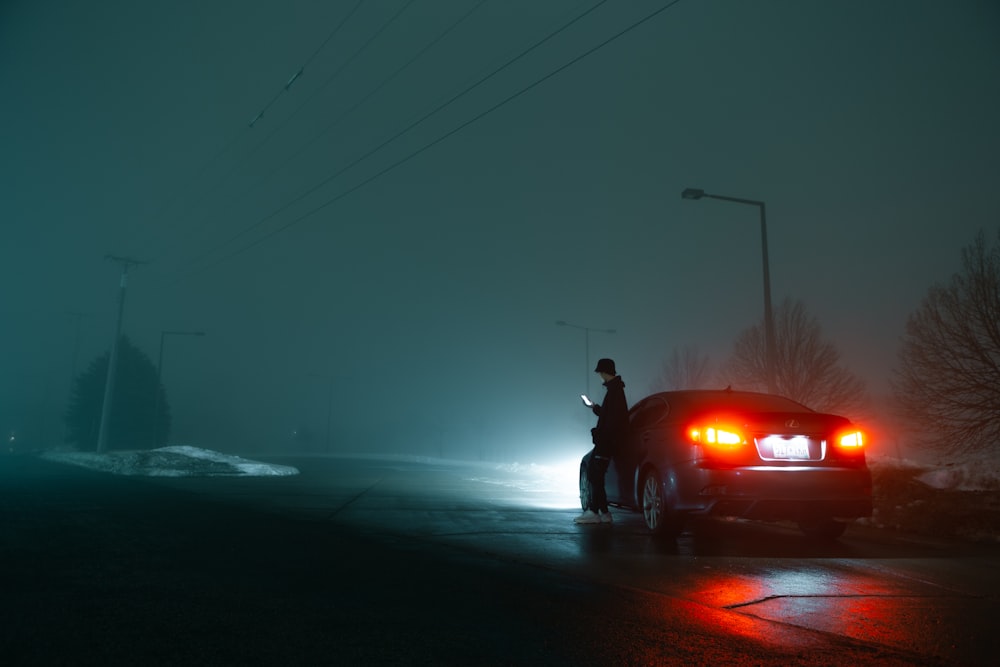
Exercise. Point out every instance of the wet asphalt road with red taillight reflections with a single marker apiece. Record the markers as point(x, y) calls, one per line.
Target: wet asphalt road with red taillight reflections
point(362, 563)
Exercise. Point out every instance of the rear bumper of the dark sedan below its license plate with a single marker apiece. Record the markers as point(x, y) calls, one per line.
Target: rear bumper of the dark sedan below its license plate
point(770, 494)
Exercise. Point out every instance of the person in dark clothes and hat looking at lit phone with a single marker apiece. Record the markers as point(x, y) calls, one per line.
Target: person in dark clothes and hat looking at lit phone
point(612, 423)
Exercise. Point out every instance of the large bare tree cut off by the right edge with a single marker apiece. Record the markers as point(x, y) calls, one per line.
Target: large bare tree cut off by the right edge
point(947, 382)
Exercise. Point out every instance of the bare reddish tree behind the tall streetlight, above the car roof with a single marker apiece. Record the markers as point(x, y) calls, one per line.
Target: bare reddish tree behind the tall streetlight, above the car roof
point(807, 368)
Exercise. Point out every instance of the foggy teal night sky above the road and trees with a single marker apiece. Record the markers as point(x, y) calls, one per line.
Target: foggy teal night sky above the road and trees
point(403, 226)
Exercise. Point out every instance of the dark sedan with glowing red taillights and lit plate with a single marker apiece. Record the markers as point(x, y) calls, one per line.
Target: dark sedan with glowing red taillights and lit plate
point(738, 454)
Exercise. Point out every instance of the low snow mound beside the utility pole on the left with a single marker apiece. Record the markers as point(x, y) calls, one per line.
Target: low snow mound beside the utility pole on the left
point(173, 461)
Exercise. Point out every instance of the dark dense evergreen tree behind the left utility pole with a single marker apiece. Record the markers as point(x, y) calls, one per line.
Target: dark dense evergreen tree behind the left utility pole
point(132, 411)
